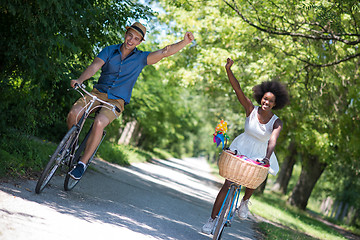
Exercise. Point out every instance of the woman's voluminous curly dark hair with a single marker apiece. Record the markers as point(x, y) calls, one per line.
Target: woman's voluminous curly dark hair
point(276, 88)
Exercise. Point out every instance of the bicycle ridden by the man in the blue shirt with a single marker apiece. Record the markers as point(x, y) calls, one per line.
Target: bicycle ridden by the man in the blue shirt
point(69, 151)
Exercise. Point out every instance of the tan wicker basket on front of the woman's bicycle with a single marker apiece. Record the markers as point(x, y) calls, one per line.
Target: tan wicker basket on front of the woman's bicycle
point(241, 171)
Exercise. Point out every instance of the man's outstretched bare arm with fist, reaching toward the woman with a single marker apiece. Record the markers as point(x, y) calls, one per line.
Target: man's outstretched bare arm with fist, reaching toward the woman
point(169, 50)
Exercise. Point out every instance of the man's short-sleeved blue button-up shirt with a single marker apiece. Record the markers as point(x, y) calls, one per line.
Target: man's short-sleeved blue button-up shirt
point(118, 76)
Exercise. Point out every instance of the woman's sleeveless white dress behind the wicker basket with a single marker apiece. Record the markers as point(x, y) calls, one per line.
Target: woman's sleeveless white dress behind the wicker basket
point(254, 141)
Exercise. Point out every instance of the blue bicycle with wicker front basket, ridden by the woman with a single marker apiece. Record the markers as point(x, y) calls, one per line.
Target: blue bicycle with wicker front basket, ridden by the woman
point(238, 175)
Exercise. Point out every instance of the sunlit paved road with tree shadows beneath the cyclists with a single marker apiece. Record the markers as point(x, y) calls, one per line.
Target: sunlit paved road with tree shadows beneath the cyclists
point(165, 199)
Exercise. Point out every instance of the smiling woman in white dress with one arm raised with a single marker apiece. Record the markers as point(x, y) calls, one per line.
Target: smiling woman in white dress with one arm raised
point(262, 128)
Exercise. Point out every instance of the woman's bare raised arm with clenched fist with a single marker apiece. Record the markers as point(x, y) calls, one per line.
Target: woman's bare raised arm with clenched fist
point(247, 104)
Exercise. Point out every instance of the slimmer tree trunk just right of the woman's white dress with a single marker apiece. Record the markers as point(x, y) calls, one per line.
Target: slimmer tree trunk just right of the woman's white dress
point(285, 173)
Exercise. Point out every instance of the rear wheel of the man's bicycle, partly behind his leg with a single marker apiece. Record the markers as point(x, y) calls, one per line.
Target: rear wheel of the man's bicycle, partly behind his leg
point(69, 182)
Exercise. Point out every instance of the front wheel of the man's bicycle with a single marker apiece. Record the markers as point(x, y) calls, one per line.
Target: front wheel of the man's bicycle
point(61, 153)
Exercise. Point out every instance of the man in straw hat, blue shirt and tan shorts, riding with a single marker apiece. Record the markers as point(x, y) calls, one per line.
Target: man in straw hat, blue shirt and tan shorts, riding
point(121, 65)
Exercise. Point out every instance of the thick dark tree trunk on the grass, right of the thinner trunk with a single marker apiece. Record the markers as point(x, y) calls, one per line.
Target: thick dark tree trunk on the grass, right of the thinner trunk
point(311, 171)
